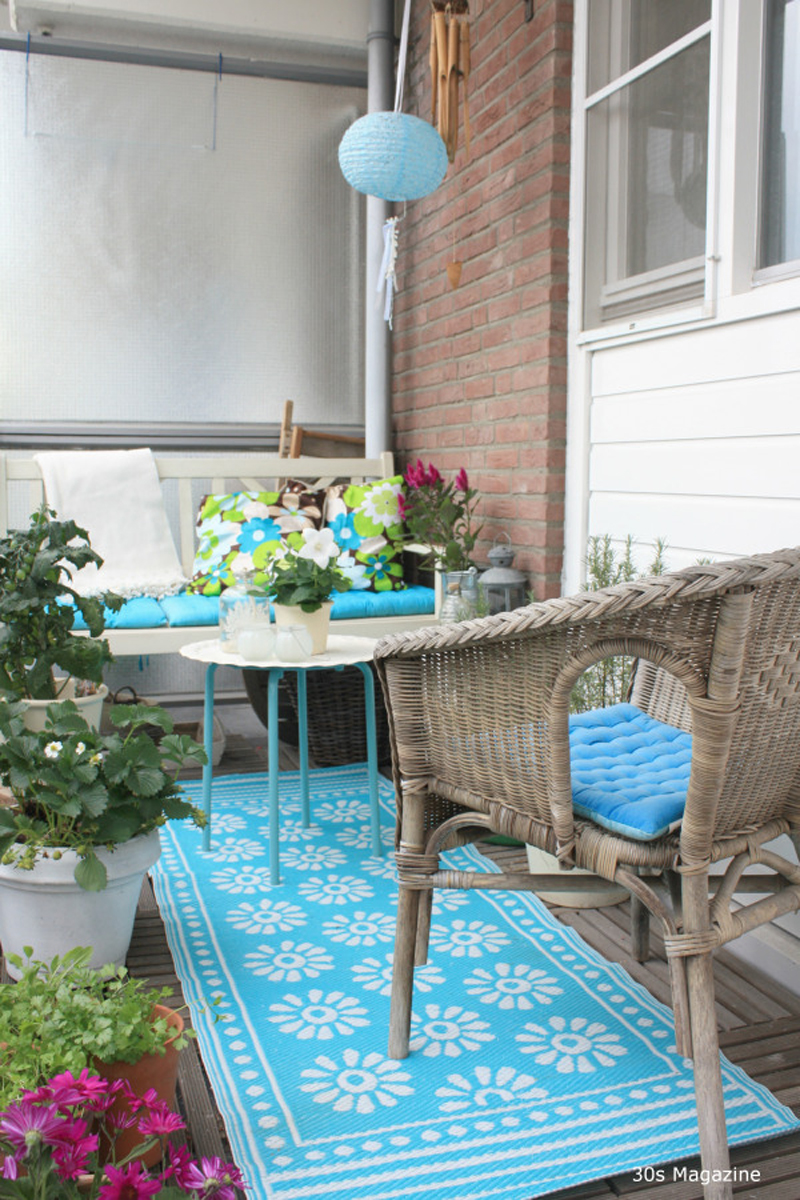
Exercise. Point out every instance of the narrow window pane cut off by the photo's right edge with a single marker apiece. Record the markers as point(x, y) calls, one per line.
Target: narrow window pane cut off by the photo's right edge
point(780, 217)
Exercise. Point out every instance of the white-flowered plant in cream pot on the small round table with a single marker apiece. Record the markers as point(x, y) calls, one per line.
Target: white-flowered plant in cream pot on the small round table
point(302, 583)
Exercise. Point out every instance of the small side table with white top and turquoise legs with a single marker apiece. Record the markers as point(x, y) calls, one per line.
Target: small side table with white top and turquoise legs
point(341, 652)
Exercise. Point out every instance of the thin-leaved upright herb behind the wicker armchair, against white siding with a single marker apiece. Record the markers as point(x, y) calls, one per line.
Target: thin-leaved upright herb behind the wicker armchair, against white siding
point(607, 682)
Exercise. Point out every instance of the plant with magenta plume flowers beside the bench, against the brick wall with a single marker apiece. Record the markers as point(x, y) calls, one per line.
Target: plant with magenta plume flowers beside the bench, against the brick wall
point(440, 515)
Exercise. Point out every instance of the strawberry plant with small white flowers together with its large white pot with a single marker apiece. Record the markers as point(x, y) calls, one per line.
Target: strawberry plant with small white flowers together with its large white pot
point(82, 829)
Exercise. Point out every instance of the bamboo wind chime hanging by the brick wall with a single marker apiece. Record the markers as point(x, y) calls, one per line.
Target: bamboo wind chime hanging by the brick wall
point(449, 71)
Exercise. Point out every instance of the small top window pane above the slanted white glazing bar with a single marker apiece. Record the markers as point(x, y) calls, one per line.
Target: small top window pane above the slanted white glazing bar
point(625, 33)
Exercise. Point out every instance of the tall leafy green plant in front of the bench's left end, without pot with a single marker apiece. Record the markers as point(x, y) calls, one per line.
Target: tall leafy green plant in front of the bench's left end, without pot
point(39, 607)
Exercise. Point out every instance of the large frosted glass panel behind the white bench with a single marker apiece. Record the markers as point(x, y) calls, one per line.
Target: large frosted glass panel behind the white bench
point(176, 249)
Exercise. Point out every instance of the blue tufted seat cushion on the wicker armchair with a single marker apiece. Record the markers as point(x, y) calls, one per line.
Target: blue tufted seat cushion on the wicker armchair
point(630, 772)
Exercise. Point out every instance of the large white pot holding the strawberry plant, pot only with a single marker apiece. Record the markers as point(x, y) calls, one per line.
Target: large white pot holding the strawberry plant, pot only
point(47, 910)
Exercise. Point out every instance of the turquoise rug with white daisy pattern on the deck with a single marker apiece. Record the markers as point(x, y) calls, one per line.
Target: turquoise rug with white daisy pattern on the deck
point(536, 1065)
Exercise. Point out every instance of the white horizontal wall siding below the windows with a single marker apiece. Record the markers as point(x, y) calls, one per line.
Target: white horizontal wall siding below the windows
point(695, 437)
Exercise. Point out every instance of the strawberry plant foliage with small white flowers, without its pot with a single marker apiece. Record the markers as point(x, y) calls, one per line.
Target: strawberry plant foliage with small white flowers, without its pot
point(77, 789)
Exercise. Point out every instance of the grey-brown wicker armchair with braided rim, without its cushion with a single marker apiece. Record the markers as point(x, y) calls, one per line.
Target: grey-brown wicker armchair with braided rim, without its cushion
point(480, 731)
